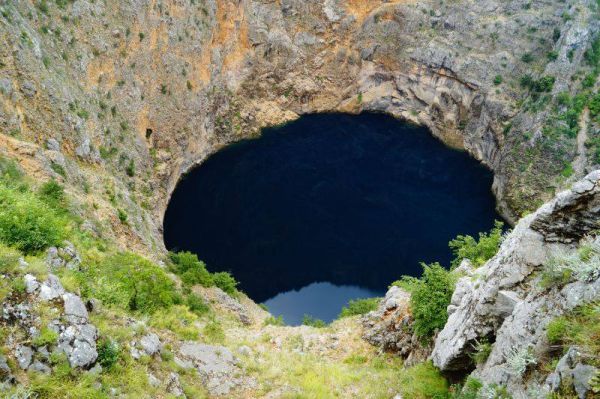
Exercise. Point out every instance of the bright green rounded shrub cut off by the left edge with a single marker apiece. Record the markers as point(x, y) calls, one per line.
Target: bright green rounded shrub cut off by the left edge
point(26, 222)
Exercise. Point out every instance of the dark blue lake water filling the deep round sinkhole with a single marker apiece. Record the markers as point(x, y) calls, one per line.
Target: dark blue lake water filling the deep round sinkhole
point(353, 201)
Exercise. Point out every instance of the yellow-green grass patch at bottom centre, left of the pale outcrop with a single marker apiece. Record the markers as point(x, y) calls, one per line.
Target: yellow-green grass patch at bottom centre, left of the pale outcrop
point(360, 375)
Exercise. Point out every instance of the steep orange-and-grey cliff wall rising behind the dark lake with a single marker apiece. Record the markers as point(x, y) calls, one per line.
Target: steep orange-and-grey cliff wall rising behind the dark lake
point(248, 64)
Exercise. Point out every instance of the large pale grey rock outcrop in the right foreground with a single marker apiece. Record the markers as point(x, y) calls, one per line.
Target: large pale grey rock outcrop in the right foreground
point(503, 300)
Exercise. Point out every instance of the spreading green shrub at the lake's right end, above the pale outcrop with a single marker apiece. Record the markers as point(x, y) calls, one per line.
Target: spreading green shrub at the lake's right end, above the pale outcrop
point(477, 251)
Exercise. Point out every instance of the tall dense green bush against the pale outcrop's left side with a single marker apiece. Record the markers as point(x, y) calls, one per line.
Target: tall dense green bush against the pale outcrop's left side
point(430, 296)
